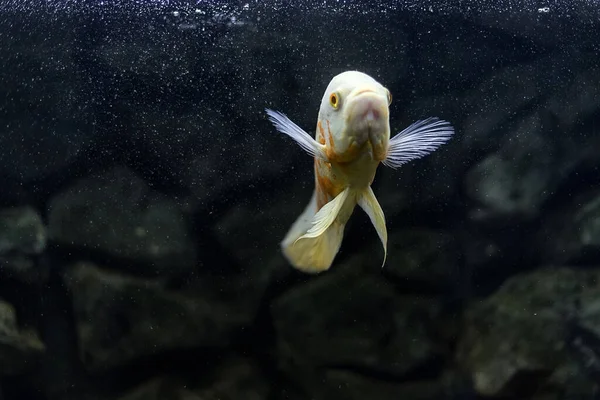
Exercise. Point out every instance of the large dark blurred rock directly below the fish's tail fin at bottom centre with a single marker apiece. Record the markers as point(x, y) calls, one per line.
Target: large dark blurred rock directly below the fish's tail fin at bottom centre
point(329, 322)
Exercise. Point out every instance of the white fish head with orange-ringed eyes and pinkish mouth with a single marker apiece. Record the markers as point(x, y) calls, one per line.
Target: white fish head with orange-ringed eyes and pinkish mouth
point(354, 116)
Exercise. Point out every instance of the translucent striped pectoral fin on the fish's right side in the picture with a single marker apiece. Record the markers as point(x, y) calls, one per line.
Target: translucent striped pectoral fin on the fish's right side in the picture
point(416, 141)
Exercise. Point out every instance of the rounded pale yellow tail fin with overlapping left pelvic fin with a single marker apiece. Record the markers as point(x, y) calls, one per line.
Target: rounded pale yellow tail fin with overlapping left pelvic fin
point(315, 238)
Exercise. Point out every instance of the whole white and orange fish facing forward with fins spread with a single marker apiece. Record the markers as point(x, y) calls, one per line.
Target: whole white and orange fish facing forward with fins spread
point(352, 138)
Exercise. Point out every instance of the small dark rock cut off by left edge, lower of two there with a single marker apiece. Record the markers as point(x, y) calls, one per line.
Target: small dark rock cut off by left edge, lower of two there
point(20, 348)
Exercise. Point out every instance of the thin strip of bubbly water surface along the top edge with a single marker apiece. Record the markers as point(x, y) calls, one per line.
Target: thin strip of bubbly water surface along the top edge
point(218, 9)
